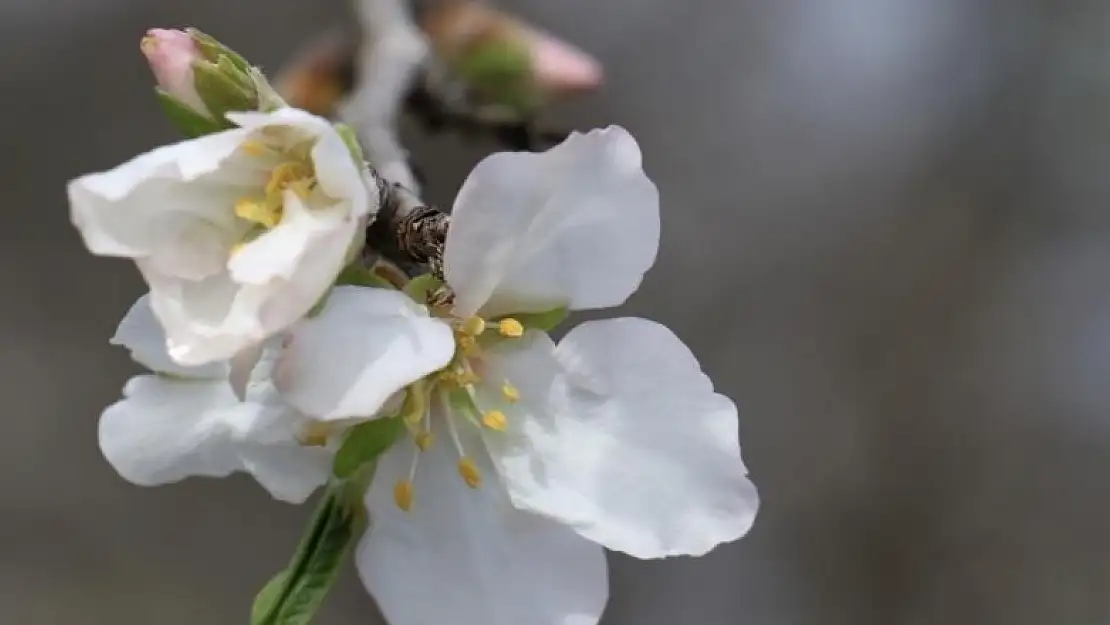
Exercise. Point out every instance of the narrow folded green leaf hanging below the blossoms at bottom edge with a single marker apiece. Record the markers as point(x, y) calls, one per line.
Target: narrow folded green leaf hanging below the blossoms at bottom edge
point(295, 596)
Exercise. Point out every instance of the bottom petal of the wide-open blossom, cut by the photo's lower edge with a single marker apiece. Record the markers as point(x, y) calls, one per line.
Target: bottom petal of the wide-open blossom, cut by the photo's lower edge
point(465, 556)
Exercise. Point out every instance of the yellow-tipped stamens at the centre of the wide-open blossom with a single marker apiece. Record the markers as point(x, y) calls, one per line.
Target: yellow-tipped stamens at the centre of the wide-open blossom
point(456, 389)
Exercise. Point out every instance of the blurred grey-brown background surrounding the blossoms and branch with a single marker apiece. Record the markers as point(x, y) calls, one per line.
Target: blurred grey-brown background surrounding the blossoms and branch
point(886, 236)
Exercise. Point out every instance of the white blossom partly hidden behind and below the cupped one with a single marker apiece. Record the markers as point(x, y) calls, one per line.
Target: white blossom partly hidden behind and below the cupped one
point(181, 422)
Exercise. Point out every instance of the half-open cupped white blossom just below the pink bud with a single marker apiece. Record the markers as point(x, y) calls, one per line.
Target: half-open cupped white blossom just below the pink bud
point(238, 234)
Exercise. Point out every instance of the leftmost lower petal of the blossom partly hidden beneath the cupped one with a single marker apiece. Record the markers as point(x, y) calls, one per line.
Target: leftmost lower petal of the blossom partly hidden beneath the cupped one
point(167, 430)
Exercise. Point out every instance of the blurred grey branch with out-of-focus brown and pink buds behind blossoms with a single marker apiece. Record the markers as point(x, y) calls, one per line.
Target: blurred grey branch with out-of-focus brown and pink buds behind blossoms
point(466, 68)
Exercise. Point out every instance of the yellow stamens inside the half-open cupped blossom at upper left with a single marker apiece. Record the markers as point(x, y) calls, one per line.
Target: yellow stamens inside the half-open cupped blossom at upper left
point(294, 173)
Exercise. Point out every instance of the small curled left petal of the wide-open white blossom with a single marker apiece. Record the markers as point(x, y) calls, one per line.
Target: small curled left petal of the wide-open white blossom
point(364, 347)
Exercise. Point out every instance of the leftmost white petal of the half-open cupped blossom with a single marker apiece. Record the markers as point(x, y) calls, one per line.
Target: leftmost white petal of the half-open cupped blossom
point(148, 205)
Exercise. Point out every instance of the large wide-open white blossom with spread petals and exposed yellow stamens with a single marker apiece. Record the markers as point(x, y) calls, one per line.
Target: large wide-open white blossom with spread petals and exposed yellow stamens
point(527, 458)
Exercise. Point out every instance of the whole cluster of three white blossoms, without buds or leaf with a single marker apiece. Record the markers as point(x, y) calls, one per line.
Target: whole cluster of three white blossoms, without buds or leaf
point(518, 459)
